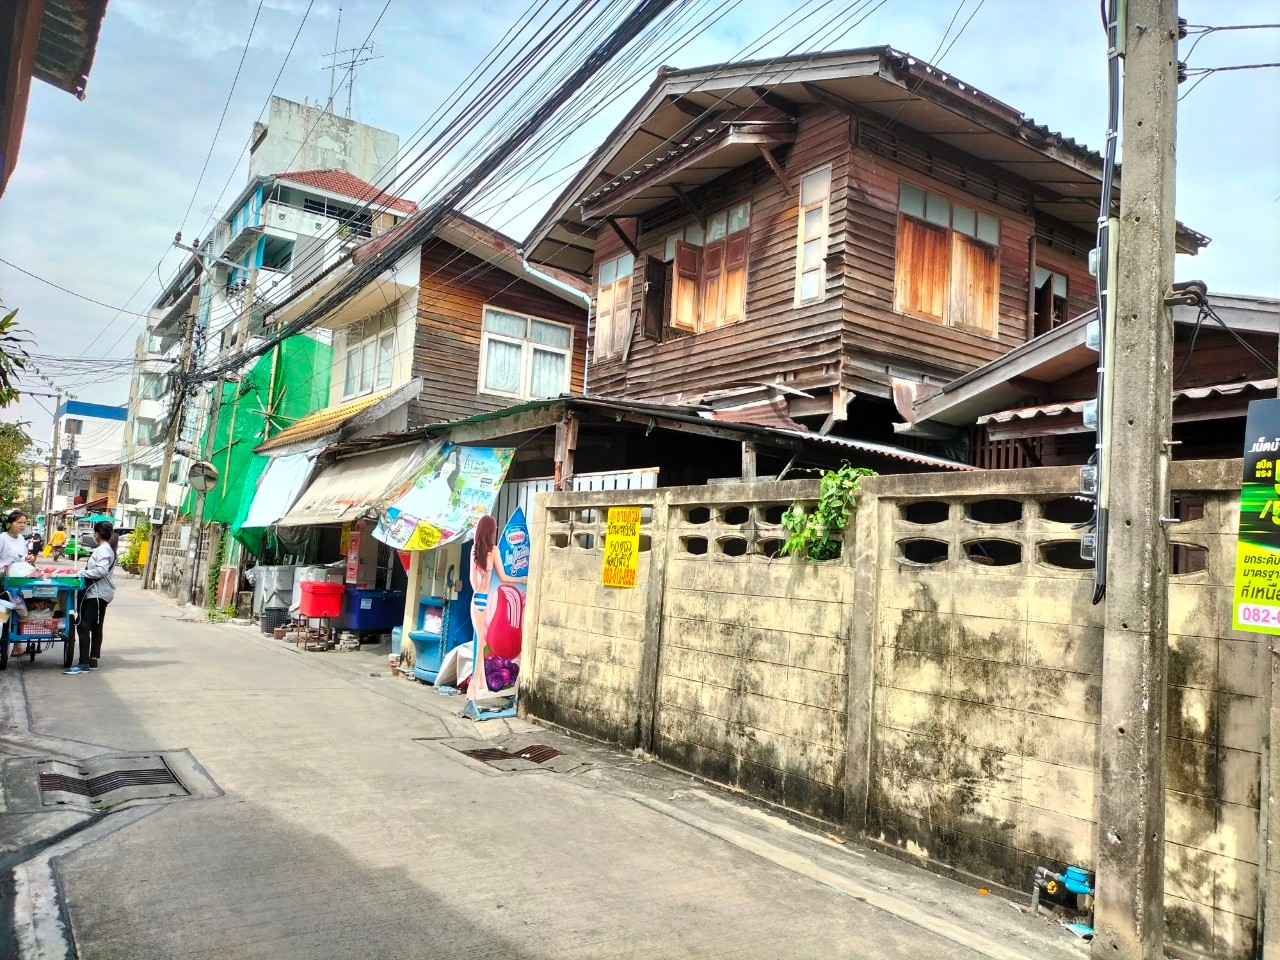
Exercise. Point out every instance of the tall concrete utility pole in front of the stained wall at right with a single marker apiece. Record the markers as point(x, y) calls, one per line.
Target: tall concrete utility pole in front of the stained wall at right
point(1131, 844)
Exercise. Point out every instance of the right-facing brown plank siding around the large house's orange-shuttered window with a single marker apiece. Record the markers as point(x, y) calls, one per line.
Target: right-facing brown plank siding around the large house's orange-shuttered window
point(881, 342)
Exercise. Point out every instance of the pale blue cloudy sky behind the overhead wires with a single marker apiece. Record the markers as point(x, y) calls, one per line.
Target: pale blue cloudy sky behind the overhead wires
point(102, 186)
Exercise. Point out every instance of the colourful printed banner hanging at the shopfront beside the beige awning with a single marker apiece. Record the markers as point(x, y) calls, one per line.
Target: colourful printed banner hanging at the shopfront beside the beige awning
point(444, 499)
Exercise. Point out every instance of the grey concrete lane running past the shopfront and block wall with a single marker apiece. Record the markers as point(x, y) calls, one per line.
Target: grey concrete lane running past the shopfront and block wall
point(348, 830)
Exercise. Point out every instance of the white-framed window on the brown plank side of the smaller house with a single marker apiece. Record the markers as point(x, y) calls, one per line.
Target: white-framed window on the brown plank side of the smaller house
point(524, 358)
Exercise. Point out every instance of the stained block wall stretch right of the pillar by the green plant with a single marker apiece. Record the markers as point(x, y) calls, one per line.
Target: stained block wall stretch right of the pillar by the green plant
point(988, 692)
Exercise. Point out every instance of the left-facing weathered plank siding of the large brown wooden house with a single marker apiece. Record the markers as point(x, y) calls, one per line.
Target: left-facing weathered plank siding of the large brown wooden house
point(776, 341)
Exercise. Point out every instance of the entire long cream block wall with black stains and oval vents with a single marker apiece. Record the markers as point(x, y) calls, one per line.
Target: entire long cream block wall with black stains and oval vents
point(947, 706)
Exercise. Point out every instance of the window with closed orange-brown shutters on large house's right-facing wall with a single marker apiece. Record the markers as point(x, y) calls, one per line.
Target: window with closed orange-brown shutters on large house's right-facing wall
point(948, 262)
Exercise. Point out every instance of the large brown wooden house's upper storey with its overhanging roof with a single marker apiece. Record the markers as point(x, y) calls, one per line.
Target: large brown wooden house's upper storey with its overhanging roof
point(798, 239)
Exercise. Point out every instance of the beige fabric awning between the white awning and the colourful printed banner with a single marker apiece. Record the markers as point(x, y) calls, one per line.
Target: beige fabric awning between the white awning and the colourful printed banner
point(349, 488)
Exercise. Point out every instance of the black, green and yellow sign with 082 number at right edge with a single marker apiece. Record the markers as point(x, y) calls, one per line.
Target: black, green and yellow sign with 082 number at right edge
point(1256, 602)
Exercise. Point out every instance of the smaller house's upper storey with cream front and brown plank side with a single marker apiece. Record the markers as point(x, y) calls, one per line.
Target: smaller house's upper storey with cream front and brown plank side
point(458, 326)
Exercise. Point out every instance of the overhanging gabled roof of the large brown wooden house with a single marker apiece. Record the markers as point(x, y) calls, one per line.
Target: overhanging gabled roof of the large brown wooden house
point(683, 125)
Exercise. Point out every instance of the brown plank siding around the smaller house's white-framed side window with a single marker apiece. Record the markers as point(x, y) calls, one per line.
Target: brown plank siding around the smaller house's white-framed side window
point(452, 295)
